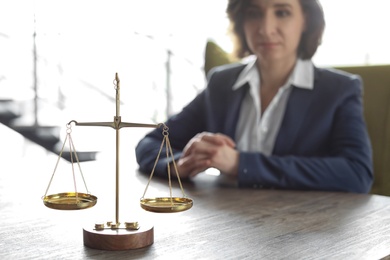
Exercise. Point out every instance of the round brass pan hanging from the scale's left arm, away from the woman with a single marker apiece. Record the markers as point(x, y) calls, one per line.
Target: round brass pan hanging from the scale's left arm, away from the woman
point(69, 201)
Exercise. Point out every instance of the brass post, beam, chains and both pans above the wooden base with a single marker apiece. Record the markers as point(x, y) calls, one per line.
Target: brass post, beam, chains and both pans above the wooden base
point(77, 200)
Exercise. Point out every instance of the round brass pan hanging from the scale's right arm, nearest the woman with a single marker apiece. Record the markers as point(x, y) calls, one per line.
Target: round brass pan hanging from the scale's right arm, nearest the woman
point(166, 204)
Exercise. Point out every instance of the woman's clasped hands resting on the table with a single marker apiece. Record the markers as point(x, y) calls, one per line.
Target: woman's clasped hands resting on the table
point(207, 150)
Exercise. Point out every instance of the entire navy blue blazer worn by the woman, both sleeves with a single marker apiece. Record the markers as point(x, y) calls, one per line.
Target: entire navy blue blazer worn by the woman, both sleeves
point(322, 143)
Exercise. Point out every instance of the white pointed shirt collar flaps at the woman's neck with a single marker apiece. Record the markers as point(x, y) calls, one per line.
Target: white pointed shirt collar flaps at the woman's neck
point(301, 77)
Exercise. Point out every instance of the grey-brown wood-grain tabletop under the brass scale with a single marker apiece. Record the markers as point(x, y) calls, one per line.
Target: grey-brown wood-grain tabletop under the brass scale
point(224, 223)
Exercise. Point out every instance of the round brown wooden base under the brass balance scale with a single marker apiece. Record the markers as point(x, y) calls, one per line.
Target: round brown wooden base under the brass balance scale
point(119, 239)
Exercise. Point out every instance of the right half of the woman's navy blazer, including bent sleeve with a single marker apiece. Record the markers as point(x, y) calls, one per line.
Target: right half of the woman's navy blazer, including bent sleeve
point(327, 149)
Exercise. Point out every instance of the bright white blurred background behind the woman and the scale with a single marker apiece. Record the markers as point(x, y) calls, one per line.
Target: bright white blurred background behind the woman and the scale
point(58, 58)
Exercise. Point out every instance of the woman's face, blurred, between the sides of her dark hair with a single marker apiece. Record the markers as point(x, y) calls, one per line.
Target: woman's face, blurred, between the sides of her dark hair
point(273, 29)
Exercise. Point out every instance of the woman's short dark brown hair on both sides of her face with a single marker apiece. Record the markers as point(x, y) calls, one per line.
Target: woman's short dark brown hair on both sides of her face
point(310, 39)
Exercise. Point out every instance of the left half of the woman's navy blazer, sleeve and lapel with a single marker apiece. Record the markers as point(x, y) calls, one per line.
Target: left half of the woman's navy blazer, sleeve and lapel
point(207, 112)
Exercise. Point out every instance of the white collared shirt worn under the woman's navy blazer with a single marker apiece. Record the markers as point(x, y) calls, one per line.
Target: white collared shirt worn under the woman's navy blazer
point(256, 130)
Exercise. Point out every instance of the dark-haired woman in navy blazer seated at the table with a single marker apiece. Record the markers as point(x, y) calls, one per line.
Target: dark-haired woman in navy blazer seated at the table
point(276, 121)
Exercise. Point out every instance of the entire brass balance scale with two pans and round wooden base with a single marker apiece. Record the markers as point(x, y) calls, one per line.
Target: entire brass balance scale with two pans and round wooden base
point(109, 235)
